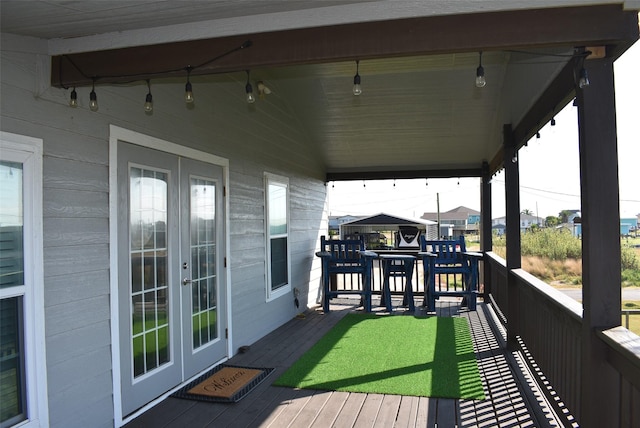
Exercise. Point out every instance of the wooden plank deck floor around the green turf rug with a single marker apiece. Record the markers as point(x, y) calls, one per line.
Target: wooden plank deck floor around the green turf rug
point(512, 399)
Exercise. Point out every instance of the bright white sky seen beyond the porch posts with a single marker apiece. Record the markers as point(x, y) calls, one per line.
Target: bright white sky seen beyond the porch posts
point(543, 191)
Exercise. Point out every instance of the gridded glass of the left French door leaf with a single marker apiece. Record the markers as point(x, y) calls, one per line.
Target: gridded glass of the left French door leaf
point(148, 256)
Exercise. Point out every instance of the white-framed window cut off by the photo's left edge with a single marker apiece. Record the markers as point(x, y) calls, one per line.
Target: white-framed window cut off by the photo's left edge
point(23, 383)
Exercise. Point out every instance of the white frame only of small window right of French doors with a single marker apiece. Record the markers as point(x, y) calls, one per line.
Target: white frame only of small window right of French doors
point(285, 289)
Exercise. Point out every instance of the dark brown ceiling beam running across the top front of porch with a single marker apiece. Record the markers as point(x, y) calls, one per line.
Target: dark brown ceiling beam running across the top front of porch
point(521, 29)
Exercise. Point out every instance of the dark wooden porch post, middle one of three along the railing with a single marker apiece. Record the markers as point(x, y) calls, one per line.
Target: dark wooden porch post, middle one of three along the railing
point(512, 204)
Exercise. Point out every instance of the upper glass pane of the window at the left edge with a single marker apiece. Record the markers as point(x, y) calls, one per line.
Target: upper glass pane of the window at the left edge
point(11, 223)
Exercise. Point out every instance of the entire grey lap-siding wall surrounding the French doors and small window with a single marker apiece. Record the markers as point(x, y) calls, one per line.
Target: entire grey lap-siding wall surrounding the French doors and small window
point(264, 137)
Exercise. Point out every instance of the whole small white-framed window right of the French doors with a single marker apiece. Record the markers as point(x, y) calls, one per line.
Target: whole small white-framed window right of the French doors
point(277, 220)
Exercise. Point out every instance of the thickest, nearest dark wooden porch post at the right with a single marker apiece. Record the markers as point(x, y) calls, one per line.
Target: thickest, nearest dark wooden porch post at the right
point(601, 295)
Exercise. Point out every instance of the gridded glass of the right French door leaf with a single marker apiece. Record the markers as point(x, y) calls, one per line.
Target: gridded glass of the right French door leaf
point(203, 254)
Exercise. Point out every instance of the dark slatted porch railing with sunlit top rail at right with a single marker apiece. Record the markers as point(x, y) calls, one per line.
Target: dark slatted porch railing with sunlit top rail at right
point(549, 328)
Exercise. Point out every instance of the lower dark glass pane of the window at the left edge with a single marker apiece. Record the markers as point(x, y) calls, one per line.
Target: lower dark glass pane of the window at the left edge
point(12, 387)
